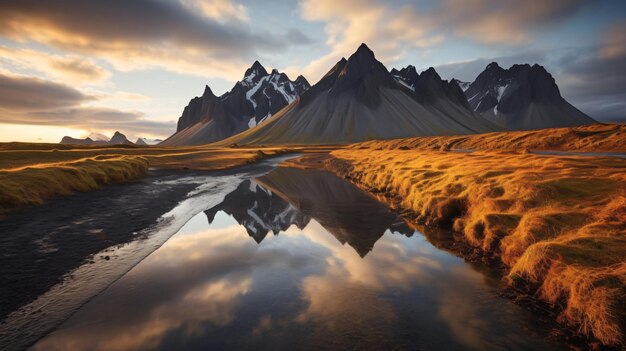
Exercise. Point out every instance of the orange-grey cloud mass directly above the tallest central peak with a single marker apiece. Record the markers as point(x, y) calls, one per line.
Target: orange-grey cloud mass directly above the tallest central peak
point(391, 29)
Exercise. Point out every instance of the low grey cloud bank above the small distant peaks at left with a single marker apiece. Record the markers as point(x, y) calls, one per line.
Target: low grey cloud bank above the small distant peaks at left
point(27, 100)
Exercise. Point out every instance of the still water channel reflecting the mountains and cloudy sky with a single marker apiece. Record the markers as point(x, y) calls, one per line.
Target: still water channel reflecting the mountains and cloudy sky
point(211, 287)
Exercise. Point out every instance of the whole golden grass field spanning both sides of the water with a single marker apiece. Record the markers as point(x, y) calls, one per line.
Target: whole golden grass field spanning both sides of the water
point(557, 223)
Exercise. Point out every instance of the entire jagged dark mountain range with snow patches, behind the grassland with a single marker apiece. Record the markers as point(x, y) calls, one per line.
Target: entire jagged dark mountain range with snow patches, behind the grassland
point(359, 99)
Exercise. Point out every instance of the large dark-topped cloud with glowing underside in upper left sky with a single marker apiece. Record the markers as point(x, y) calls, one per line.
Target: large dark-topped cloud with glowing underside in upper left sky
point(212, 40)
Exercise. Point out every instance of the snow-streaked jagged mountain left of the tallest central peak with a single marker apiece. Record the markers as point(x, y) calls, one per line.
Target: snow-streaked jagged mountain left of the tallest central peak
point(252, 100)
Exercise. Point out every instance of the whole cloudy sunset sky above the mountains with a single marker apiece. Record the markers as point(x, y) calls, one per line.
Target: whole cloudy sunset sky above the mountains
point(76, 67)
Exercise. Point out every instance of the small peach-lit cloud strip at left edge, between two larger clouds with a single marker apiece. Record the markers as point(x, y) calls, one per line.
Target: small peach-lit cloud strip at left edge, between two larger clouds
point(75, 68)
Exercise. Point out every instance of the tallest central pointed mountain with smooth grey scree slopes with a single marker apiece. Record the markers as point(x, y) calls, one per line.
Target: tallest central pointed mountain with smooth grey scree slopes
point(359, 99)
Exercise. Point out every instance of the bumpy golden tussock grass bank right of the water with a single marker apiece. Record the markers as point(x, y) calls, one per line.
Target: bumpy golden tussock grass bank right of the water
point(558, 223)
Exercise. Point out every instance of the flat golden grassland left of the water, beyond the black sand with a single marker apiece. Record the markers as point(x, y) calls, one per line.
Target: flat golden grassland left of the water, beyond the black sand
point(32, 173)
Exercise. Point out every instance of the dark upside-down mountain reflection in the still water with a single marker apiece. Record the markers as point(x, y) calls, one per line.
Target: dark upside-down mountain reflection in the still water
point(289, 196)
